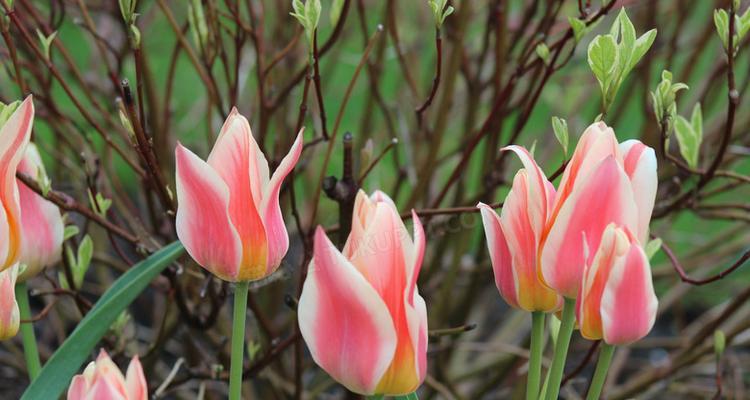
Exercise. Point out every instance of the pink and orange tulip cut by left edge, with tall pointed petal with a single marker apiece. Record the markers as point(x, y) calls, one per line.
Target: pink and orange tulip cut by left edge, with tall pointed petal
point(14, 136)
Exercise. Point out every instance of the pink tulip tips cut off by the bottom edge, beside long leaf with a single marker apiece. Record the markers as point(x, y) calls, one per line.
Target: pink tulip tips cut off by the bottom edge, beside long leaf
point(102, 380)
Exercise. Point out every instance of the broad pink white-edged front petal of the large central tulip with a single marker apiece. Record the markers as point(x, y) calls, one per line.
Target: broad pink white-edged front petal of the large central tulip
point(344, 322)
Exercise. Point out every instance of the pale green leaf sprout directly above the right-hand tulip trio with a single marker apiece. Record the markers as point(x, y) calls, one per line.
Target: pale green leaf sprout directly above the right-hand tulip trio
point(611, 61)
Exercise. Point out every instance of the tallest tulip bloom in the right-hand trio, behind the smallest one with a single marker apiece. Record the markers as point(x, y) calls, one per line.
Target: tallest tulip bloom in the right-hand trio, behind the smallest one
point(604, 182)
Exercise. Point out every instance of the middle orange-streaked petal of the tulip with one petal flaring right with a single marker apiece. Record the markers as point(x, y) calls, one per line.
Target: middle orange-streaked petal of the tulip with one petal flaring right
point(237, 159)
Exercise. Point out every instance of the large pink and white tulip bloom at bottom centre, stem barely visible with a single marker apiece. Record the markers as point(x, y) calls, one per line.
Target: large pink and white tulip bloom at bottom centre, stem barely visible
point(360, 312)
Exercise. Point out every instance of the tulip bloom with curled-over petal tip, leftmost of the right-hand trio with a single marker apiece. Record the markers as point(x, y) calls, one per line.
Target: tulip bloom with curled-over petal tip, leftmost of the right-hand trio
point(513, 237)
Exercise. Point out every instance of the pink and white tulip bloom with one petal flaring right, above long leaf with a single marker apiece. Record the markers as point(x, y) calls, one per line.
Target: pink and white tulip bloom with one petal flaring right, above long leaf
point(228, 214)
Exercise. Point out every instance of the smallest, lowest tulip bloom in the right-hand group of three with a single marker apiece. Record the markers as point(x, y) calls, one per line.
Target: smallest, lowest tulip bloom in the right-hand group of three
point(617, 301)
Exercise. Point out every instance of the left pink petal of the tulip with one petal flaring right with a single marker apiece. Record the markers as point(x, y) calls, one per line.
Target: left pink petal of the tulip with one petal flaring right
point(202, 214)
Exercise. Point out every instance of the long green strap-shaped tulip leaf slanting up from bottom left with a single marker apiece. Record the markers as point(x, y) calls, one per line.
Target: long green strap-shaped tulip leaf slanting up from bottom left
point(67, 360)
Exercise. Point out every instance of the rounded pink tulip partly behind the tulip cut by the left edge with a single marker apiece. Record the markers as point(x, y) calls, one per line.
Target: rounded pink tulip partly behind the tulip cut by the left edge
point(42, 224)
